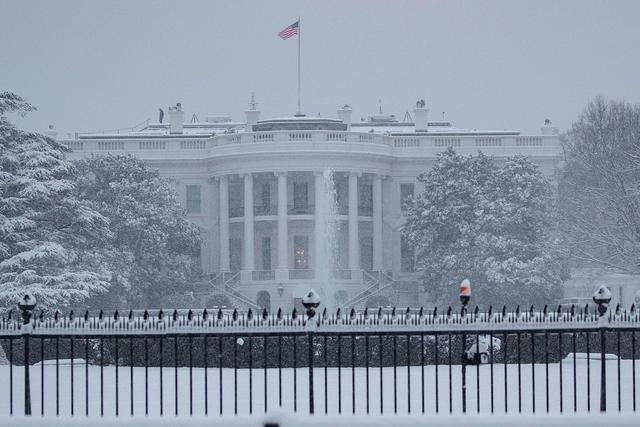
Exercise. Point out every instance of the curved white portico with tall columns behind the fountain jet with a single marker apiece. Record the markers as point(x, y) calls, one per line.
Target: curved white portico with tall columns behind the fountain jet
point(285, 224)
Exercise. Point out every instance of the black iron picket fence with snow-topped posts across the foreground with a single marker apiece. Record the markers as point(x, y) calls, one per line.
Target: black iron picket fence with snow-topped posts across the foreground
point(200, 362)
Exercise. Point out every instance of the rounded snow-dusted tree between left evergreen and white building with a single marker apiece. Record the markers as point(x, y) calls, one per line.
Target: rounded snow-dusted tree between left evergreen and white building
point(154, 250)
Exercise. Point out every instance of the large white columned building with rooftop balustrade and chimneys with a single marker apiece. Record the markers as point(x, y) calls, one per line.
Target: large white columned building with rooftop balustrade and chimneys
point(251, 189)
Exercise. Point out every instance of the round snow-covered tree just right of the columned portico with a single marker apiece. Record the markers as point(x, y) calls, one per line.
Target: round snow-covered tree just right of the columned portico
point(493, 224)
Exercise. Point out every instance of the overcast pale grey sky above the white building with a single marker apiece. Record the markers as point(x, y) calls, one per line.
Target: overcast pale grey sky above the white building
point(90, 65)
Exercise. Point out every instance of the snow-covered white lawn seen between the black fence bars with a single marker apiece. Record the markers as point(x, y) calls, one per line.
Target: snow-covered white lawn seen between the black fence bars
point(408, 389)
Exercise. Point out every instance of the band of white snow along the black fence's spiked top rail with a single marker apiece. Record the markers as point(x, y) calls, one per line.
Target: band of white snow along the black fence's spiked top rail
point(198, 321)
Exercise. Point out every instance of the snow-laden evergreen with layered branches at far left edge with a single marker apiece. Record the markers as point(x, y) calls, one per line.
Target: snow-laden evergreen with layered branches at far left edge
point(44, 228)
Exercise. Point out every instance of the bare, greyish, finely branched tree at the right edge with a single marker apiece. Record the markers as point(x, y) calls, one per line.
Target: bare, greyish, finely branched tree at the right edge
point(600, 187)
